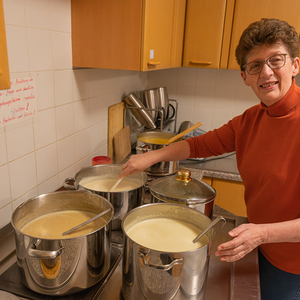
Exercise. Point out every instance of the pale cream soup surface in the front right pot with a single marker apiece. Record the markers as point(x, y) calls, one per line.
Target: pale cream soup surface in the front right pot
point(168, 235)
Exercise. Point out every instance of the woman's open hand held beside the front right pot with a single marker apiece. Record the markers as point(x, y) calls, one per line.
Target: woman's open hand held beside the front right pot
point(246, 237)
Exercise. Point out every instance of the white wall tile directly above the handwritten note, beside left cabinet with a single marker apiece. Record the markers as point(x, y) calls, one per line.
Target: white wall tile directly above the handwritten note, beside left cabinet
point(17, 49)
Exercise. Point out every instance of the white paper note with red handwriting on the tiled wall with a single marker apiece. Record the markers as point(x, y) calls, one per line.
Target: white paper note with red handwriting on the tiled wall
point(19, 102)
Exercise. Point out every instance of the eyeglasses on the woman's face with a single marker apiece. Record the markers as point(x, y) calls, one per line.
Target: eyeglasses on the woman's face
point(276, 61)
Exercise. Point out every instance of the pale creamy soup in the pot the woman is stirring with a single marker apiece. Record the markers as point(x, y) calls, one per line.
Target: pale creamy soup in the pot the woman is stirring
point(100, 184)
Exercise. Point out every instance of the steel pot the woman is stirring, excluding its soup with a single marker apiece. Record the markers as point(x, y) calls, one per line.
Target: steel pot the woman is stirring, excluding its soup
point(121, 201)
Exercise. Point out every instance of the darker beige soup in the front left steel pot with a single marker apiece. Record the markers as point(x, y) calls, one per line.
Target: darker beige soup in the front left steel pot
point(53, 225)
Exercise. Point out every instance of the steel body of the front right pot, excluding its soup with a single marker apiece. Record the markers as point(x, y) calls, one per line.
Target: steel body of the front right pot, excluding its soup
point(157, 275)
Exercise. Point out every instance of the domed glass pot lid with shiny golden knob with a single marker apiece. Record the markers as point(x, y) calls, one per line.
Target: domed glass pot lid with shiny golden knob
point(182, 188)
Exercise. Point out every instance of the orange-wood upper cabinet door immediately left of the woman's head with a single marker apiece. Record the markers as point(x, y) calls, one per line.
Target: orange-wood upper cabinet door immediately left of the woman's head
point(207, 31)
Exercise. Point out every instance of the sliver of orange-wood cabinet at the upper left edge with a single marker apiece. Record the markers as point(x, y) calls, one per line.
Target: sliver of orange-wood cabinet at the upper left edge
point(4, 70)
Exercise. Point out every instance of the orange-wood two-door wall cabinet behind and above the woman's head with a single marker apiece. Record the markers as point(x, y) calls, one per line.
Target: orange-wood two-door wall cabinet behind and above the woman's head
point(214, 27)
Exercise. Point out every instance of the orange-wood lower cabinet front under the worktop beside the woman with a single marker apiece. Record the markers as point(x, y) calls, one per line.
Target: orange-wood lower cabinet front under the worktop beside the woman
point(230, 195)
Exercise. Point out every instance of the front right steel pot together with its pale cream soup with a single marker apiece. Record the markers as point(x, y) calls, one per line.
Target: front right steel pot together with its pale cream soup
point(160, 260)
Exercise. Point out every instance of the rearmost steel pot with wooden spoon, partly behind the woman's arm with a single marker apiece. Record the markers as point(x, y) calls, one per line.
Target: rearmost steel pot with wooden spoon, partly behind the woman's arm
point(162, 168)
